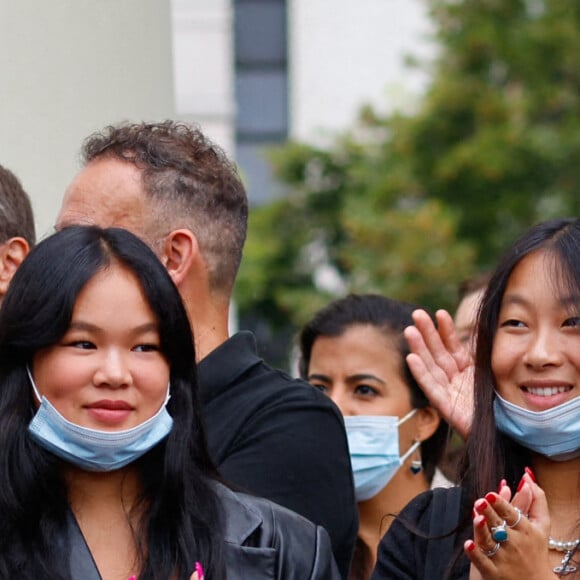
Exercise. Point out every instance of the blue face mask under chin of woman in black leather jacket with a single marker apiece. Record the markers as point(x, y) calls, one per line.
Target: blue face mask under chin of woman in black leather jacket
point(92, 449)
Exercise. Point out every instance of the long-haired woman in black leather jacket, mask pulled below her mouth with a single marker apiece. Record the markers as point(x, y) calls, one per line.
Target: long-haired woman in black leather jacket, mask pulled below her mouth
point(104, 468)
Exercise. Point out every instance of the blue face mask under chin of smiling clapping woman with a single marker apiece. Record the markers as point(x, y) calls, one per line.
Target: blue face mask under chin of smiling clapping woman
point(554, 433)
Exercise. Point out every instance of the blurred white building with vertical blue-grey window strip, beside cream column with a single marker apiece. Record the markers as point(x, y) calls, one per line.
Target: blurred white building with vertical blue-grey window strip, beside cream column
point(256, 72)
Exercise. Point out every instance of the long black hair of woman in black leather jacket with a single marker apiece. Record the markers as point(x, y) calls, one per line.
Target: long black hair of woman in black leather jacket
point(181, 521)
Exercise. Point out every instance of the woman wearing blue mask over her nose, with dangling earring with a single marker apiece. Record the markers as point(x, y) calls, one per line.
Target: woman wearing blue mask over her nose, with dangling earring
point(353, 350)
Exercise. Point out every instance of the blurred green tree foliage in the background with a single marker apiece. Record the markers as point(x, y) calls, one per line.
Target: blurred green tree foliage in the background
point(410, 204)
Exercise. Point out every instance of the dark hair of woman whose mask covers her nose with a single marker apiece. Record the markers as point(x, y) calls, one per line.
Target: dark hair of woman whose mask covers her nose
point(390, 317)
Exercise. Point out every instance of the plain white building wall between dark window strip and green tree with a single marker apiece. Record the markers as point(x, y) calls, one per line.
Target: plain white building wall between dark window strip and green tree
point(344, 54)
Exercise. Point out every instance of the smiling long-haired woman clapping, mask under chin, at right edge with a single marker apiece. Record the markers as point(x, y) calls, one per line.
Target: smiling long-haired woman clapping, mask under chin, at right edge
point(525, 436)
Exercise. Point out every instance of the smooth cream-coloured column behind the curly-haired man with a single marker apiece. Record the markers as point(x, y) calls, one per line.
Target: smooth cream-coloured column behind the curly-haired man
point(70, 67)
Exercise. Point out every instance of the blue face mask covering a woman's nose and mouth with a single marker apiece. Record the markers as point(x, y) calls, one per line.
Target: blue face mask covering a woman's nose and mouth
point(373, 443)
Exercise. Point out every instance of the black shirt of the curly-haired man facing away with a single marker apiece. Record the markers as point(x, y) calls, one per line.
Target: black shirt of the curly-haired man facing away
point(279, 438)
